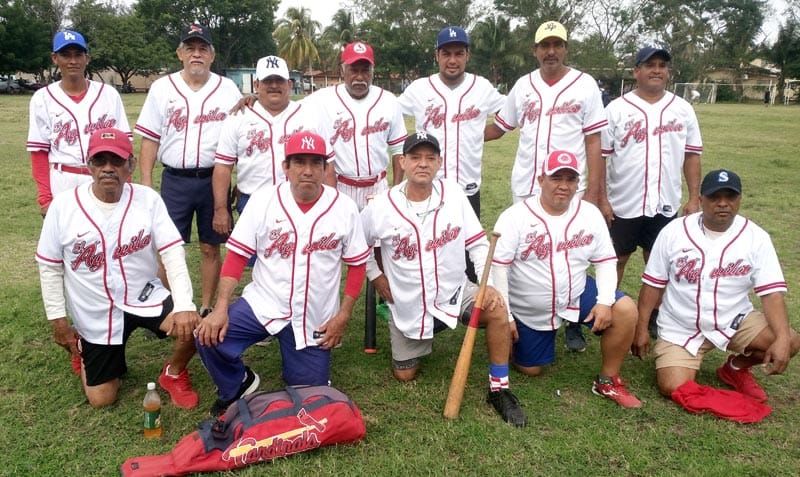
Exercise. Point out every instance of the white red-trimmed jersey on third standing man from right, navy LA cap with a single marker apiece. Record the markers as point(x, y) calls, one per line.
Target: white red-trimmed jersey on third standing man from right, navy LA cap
point(456, 118)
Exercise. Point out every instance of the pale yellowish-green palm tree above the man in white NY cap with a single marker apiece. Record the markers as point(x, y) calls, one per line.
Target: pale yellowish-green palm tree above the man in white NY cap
point(295, 35)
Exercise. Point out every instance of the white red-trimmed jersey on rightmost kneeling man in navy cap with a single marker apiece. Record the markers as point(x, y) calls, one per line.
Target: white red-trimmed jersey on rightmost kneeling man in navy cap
point(707, 282)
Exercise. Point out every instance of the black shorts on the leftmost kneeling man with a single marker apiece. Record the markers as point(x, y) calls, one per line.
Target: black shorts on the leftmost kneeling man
point(104, 363)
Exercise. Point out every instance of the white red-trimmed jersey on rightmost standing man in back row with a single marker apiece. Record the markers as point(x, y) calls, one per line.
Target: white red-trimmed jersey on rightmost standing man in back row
point(645, 146)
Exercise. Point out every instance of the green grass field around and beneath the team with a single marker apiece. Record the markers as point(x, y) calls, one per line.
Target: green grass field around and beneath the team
point(47, 427)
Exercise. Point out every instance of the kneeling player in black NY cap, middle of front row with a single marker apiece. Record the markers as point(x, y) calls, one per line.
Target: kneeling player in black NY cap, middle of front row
point(423, 226)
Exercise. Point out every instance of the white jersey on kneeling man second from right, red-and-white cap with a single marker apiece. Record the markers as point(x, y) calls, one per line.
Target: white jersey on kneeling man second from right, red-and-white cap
point(547, 258)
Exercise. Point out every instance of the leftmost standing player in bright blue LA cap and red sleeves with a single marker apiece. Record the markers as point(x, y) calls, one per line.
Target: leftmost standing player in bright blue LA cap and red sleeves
point(63, 115)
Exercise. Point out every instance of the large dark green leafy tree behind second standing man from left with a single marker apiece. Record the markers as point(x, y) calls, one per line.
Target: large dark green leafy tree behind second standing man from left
point(242, 30)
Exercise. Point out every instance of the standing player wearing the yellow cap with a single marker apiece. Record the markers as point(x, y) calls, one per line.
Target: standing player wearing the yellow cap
point(556, 108)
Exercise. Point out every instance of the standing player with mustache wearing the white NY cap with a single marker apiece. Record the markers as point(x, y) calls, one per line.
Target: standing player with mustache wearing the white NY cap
point(254, 140)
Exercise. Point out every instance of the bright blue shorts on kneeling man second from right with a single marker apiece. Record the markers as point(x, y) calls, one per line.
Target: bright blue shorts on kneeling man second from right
point(537, 347)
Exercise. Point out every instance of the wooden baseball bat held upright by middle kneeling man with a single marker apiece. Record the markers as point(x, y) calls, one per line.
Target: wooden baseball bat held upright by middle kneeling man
point(459, 381)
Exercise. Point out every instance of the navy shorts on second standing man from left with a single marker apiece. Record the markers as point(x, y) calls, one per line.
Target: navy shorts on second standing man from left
point(186, 197)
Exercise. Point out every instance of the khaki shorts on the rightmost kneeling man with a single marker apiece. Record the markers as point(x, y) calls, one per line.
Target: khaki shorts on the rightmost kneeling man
point(669, 354)
